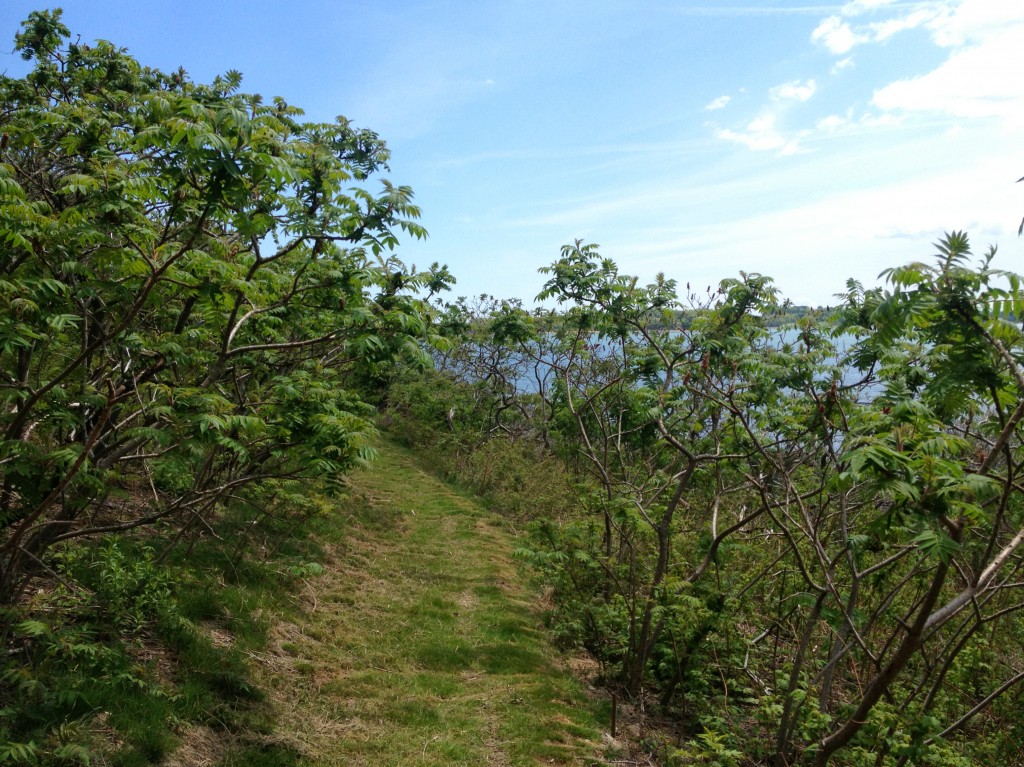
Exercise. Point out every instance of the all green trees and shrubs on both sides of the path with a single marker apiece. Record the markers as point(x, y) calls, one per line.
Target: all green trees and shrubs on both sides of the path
point(804, 543)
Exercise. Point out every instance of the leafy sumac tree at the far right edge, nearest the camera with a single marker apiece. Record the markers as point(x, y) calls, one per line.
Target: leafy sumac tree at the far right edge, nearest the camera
point(936, 452)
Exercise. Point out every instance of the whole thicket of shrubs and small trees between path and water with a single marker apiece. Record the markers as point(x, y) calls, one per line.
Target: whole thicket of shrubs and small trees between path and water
point(797, 545)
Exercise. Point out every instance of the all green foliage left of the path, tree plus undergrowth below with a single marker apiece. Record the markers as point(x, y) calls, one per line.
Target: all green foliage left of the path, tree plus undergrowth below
point(199, 294)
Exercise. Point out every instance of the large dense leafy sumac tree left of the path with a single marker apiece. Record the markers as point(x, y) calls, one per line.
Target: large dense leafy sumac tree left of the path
point(190, 279)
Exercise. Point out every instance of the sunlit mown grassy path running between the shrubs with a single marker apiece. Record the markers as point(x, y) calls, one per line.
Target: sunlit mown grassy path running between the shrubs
point(420, 645)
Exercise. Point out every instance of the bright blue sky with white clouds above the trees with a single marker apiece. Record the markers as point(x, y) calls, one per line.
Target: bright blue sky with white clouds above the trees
point(812, 143)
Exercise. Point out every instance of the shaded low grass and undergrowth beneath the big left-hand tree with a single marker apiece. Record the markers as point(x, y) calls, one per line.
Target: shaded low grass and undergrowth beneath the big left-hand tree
point(129, 646)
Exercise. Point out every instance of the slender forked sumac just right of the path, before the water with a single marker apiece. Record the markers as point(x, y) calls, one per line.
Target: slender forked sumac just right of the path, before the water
point(643, 408)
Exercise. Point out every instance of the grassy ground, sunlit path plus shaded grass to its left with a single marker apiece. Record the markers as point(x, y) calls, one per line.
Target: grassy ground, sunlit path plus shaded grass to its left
point(416, 645)
